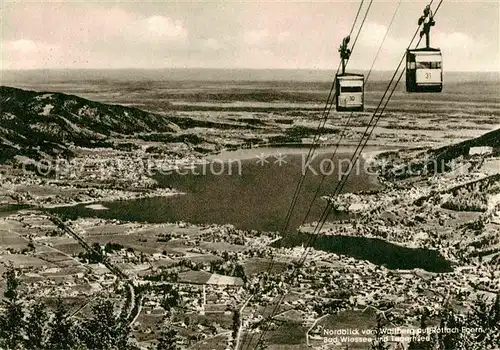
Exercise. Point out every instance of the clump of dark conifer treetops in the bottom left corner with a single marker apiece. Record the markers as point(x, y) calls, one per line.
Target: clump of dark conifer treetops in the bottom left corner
point(40, 331)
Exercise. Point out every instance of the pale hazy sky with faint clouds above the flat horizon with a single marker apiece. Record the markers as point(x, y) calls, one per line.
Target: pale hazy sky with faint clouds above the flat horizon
point(243, 34)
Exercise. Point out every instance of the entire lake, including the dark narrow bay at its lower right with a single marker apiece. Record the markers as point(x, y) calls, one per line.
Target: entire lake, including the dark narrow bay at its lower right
point(252, 190)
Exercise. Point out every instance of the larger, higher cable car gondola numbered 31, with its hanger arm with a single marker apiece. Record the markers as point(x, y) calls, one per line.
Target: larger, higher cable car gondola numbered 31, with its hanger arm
point(424, 66)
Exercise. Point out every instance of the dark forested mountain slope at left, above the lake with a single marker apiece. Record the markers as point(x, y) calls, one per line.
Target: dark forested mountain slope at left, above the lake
point(34, 123)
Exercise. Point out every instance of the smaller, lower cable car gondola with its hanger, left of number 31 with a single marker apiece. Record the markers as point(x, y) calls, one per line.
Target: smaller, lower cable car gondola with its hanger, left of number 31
point(349, 88)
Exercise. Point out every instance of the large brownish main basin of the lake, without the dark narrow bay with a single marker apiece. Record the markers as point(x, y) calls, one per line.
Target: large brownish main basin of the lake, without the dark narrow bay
point(251, 189)
